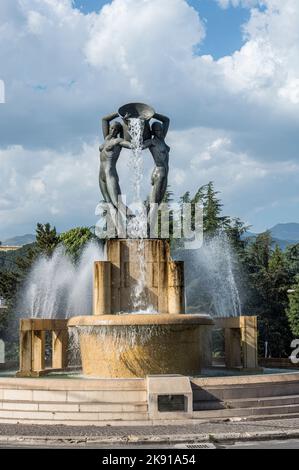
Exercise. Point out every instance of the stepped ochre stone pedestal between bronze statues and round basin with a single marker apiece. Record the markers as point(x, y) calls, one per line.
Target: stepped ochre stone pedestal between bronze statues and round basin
point(128, 260)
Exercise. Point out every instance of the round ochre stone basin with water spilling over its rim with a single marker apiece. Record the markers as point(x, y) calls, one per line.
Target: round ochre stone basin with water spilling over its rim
point(122, 346)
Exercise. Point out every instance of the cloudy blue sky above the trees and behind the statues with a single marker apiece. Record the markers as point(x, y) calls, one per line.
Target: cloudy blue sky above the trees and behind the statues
point(225, 71)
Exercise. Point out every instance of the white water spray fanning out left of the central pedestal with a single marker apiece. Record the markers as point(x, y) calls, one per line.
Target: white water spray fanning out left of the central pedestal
point(58, 288)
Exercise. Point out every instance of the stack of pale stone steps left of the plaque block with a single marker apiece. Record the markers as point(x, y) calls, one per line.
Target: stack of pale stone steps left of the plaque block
point(94, 401)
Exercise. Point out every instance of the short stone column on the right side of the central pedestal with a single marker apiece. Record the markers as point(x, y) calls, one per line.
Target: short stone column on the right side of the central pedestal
point(176, 295)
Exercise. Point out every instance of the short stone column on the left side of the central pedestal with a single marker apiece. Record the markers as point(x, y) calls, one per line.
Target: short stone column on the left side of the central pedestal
point(102, 288)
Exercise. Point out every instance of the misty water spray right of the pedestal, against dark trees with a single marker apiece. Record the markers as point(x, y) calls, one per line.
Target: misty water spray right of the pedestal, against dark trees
point(211, 283)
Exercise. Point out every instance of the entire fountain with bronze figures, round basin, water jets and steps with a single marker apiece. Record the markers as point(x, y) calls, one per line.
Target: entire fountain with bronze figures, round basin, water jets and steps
point(142, 355)
